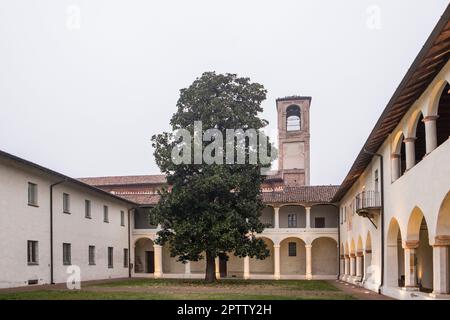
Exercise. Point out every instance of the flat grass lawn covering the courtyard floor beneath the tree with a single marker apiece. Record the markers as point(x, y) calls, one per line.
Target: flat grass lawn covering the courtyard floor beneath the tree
point(175, 289)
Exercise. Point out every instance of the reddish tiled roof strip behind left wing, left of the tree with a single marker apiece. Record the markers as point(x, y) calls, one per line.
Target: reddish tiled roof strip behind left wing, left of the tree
point(125, 180)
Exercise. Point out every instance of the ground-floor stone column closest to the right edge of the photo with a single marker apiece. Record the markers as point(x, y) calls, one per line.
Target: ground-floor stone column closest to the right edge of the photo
point(440, 269)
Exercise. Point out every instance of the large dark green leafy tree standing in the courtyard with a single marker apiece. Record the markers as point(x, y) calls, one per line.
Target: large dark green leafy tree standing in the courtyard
point(213, 209)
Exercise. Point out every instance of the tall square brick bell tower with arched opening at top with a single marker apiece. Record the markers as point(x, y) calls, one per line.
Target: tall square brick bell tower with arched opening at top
point(293, 139)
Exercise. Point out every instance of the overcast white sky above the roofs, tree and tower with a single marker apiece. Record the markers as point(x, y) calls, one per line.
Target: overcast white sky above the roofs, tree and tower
point(84, 96)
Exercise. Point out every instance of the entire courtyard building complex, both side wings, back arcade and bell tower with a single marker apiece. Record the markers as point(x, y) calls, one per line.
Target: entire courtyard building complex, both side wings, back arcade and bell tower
point(386, 227)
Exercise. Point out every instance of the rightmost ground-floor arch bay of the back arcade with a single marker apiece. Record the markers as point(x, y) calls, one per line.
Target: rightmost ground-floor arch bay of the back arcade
point(324, 256)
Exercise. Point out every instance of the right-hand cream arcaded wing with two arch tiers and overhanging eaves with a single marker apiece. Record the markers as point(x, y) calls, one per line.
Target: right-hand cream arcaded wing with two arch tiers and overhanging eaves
point(395, 201)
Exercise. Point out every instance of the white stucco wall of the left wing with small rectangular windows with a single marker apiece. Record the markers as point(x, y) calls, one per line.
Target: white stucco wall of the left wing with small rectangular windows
point(20, 222)
